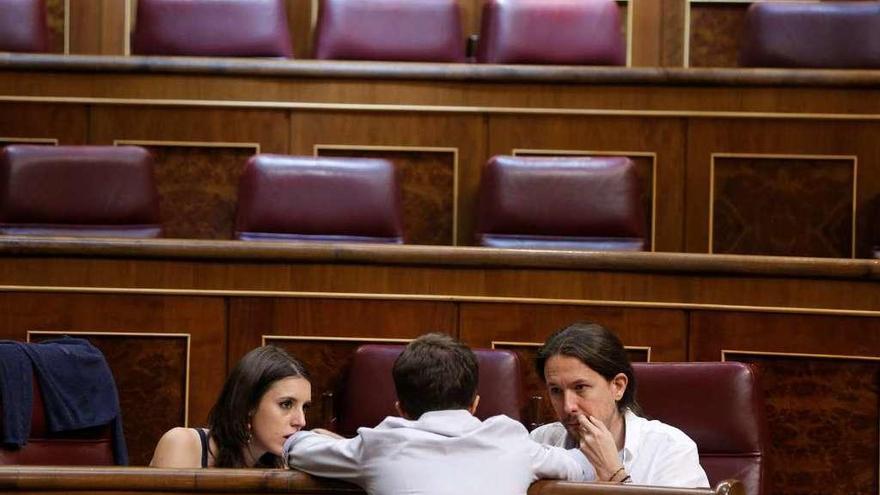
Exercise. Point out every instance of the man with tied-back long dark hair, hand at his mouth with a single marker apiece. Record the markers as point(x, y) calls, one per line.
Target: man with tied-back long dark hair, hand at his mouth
point(592, 387)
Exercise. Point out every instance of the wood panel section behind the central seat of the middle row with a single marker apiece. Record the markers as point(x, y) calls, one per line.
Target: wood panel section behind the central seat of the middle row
point(427, 188)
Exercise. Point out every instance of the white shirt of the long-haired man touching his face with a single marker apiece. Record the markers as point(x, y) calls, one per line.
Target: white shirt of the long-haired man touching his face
point(653, 453)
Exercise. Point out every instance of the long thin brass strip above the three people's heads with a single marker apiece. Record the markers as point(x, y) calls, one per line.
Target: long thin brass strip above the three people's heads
point(443, 298)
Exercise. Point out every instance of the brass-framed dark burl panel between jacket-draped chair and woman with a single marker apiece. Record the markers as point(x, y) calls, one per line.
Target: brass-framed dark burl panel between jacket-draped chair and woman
point(151, 378)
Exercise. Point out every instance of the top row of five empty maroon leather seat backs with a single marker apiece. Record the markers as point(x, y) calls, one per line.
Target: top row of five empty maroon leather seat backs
point(583, 32)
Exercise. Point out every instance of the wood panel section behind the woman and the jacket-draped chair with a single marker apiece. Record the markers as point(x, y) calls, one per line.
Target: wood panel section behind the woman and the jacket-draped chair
point(149, 373)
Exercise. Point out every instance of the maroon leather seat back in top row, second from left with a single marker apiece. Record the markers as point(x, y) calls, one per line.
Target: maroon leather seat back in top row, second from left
point(212, 28)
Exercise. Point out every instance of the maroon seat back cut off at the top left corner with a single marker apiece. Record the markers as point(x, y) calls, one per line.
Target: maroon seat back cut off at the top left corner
point(23, 26)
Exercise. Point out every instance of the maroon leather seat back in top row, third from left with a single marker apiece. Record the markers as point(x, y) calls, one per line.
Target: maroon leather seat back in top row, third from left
point(396, 30)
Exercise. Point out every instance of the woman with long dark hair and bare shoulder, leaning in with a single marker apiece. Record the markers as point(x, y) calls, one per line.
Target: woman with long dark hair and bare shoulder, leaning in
point(262, 403)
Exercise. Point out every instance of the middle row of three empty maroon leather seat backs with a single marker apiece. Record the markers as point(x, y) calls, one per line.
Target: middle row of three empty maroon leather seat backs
point(525, 202)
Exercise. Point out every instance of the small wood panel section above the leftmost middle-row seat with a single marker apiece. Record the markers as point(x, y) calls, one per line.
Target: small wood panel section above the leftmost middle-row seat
point(66, 123)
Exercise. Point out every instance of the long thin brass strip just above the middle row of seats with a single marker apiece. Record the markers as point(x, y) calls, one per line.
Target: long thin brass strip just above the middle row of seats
point(369, 107)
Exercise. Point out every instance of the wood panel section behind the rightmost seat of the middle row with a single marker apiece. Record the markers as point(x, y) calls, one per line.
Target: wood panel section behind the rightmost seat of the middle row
point(665, 137)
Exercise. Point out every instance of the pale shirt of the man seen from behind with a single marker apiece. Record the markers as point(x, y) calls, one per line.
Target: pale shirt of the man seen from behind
point(443, 452)
